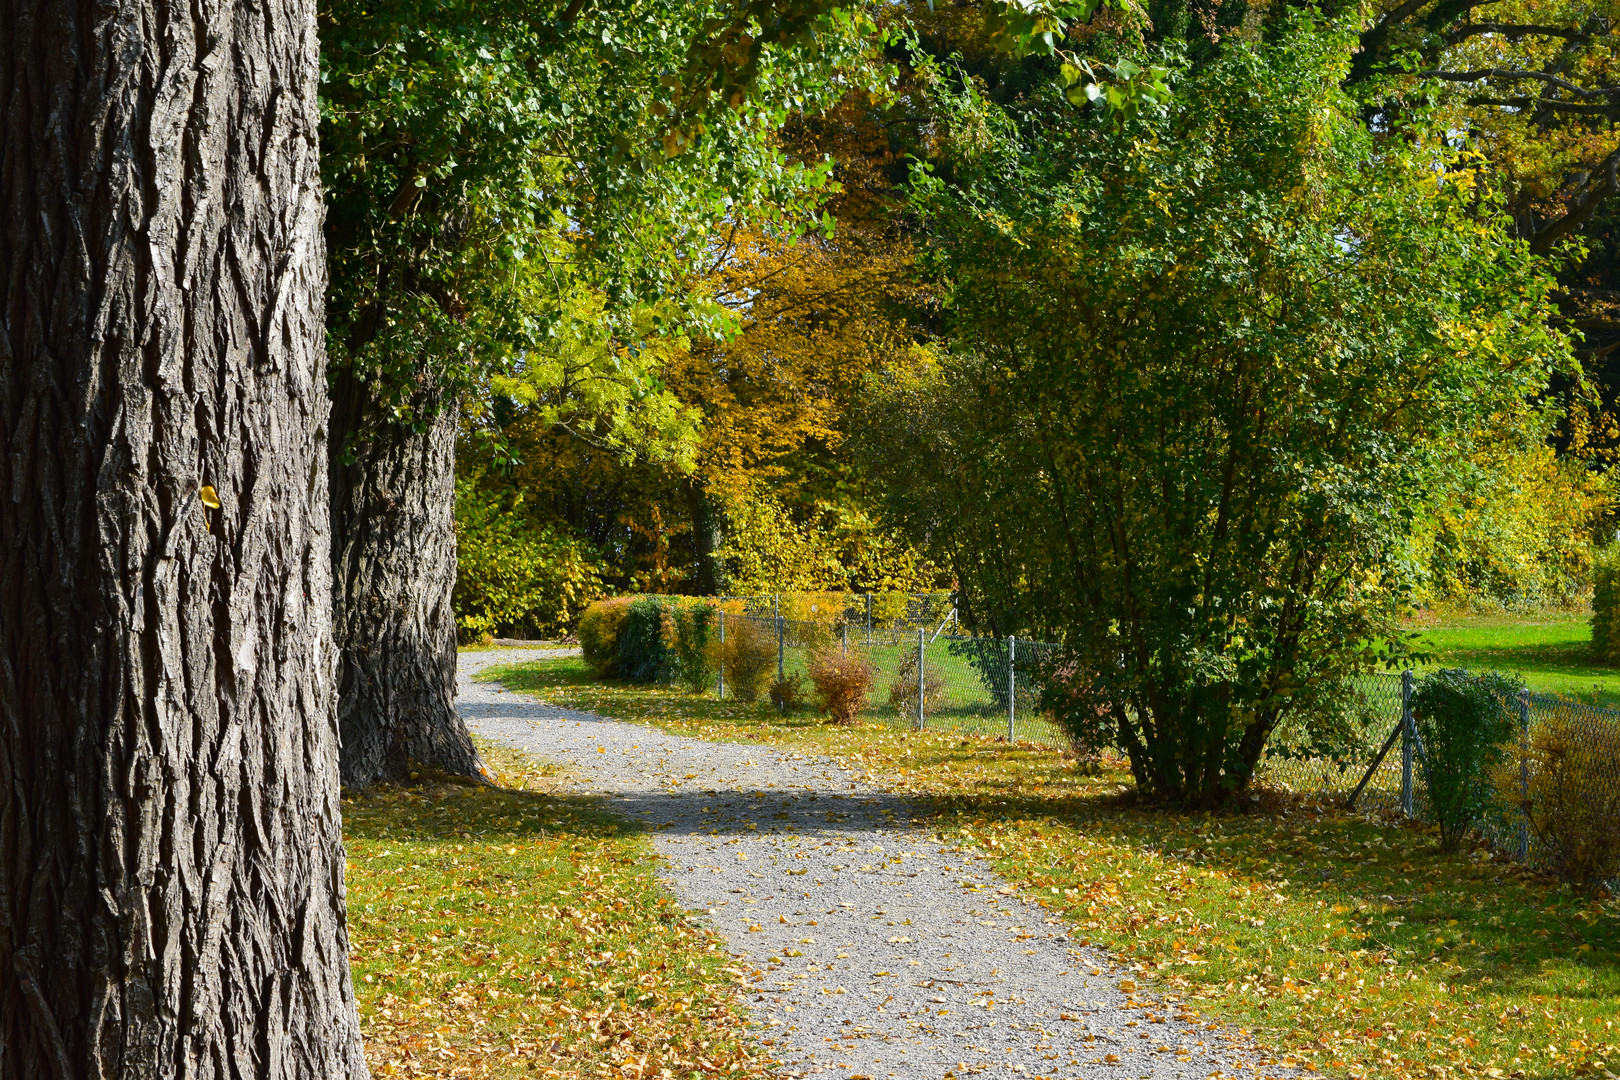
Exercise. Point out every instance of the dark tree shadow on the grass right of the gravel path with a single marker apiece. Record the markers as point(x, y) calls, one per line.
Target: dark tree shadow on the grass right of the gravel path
point(1506, 929)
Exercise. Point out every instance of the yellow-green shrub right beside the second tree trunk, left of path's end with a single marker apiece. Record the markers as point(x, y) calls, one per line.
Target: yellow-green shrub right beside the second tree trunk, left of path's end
point(516, 577)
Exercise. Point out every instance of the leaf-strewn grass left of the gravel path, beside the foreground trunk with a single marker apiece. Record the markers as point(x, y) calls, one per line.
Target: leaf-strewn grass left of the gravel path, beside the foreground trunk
point(513, 933)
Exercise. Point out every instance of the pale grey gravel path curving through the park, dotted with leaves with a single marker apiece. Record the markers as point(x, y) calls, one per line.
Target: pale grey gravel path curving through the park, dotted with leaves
point(879, 953)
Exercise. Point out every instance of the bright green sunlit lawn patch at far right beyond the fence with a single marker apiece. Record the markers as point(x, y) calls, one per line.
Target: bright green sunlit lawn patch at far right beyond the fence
point(1550, 652)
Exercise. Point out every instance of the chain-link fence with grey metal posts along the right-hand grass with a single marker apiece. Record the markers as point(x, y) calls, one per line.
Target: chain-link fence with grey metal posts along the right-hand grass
point(1556, 793)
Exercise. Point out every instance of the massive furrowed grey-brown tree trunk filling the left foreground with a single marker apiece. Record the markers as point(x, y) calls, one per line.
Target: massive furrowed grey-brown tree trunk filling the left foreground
point(171, 851)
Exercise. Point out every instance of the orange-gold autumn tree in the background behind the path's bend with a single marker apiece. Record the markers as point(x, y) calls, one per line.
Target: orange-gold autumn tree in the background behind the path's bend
point(769, 500)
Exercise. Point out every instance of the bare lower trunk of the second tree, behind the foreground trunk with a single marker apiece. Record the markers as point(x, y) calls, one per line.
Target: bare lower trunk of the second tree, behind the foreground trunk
point(394, 569)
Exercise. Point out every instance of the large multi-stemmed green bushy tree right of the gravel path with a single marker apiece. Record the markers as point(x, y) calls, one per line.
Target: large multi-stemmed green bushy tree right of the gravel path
point(1206, 362)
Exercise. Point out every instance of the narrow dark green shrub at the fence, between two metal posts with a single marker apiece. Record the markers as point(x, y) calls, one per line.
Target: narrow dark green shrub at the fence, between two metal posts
point(1465, 723)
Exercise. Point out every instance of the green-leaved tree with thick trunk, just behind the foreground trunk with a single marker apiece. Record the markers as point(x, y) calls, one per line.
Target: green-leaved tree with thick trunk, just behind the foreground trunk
point(474, 143)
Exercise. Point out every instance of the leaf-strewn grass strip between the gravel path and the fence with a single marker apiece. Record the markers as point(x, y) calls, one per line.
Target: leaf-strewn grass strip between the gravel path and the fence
point(1350, 945)
